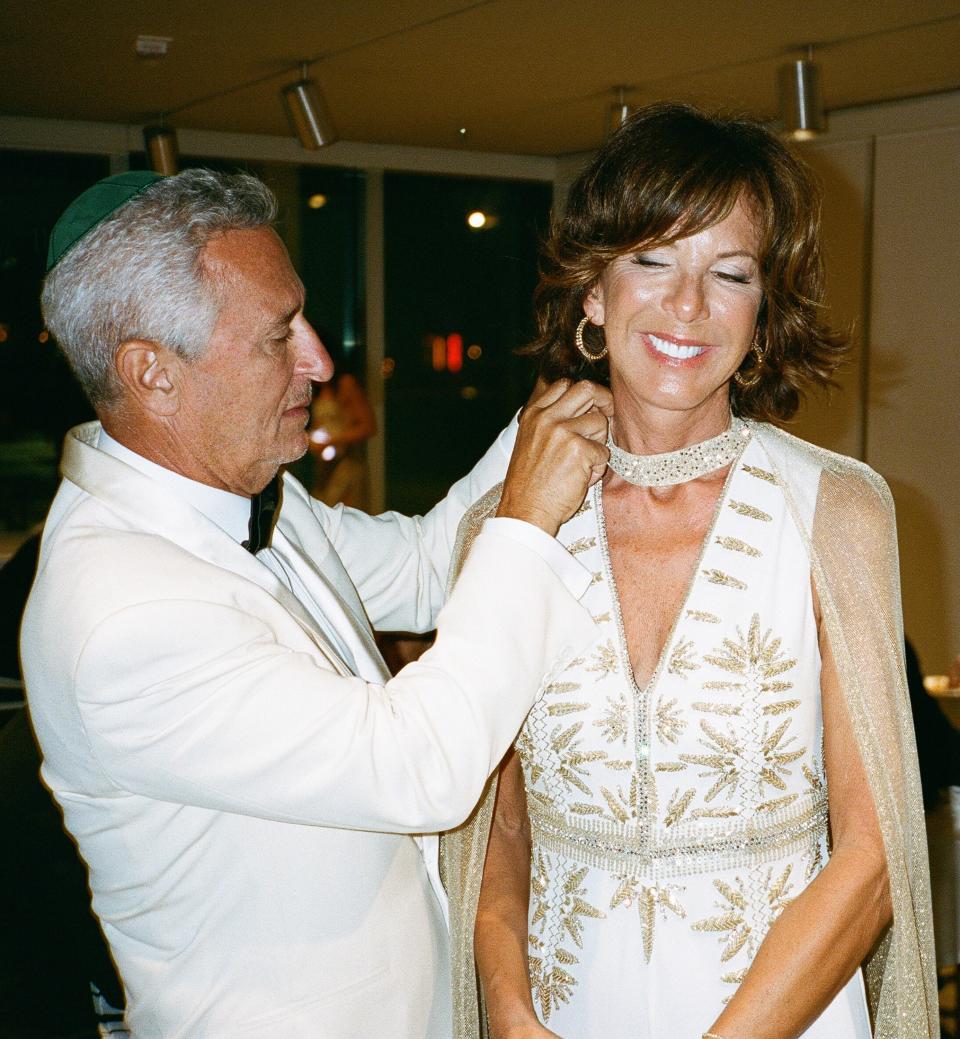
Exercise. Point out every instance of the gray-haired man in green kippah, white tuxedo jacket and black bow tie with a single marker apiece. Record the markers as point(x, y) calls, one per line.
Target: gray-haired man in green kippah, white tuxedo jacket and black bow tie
point(241, 775)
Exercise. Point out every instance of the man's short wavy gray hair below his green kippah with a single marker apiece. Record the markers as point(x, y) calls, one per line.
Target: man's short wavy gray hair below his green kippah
point(140, 275)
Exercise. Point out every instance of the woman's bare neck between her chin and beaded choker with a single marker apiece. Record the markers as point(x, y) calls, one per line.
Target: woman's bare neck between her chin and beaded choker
point(646, 430)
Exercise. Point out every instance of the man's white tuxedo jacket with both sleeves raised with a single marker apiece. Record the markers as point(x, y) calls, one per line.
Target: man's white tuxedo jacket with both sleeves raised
point(243, 801)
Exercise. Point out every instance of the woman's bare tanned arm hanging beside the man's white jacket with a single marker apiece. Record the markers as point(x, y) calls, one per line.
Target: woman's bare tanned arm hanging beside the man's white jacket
point(500, 937)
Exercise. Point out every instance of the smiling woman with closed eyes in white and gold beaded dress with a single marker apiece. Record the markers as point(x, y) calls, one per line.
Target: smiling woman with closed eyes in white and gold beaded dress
point(712, 818)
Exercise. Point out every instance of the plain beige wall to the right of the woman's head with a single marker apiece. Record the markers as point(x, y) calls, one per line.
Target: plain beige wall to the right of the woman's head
point(892, 223)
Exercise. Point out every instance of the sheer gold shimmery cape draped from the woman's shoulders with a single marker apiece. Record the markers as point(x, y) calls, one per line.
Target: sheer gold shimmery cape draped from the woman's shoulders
point(852, 544)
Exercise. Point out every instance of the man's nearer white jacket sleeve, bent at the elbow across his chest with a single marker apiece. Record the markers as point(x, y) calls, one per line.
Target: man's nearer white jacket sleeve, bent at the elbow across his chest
point(226, 717)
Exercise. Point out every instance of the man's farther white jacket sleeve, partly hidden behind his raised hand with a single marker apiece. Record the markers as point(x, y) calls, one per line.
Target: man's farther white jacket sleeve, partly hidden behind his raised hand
point(399, 564)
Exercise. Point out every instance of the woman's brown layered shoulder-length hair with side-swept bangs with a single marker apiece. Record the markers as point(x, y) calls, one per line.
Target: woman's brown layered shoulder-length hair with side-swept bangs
point(671, 172)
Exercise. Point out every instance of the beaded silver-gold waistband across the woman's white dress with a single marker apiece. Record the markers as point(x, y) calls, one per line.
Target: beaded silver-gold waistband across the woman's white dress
point(689, 848)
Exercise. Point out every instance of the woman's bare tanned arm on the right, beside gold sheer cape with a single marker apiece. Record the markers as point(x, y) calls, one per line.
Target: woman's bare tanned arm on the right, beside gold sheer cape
point(822, 938)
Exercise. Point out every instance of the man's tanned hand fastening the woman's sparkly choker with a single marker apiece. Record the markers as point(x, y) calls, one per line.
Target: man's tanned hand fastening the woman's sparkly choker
point(561, 452)
